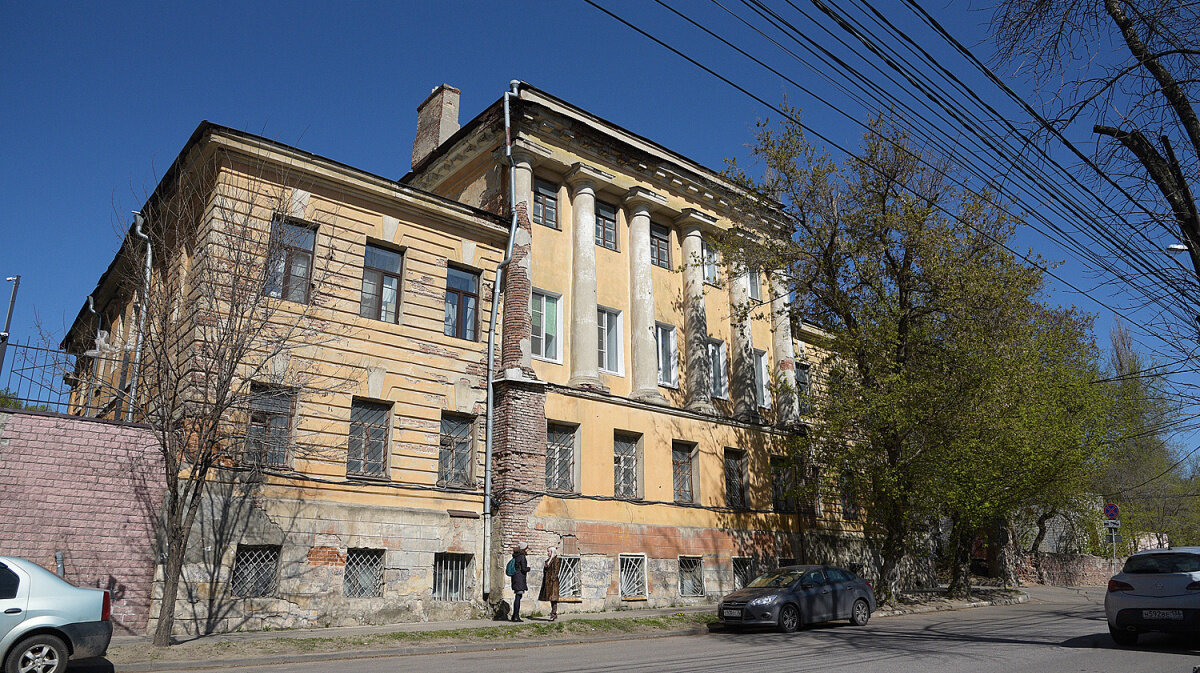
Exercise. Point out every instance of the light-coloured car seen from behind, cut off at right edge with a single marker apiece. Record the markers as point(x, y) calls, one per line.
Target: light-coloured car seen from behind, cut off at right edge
point(1156, 591)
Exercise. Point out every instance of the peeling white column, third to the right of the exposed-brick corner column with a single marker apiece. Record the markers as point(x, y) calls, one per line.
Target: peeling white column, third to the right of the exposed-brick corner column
point(698, 369)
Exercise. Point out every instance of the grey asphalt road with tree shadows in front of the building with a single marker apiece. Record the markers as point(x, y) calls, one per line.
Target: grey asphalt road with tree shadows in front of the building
point(1059, 632)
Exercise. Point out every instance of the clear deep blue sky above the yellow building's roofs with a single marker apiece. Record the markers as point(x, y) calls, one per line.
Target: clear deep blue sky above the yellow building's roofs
point(99, 99)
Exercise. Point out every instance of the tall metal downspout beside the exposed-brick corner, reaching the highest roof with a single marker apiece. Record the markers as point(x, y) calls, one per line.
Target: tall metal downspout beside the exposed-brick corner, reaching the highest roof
point(514, 89)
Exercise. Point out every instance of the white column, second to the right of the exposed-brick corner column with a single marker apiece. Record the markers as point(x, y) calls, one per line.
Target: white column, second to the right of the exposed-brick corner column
point(641, 291)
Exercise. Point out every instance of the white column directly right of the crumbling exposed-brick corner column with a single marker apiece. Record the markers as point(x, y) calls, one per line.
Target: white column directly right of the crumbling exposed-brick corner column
point(585, 344)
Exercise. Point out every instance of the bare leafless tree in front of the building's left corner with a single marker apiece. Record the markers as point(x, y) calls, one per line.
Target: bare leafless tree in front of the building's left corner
point(224, 315)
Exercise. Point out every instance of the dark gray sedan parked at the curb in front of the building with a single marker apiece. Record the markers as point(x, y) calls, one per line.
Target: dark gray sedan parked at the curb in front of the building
point(800, 594)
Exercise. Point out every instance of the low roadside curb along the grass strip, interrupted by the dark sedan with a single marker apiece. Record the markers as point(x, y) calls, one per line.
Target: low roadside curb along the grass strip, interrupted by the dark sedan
point(195, 665)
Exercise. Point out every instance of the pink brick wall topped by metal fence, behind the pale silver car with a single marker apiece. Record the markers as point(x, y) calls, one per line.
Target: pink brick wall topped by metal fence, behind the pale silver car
point(91, 490)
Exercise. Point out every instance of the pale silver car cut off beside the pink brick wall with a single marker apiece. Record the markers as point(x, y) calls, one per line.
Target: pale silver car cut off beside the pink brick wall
point(45, 621)
